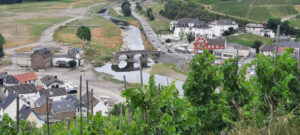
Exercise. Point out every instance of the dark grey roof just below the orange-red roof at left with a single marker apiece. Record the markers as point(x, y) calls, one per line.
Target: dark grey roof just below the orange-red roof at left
point(21, 89)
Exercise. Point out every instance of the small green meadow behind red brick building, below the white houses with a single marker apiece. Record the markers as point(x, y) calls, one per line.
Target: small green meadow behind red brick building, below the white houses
point(249, 39)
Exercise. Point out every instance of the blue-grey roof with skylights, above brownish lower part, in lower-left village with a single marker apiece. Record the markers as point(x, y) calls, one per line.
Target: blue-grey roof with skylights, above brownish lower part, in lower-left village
point(63, 106)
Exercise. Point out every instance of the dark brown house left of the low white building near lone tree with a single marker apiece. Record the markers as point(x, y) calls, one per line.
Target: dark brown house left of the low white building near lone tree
point(41, 59)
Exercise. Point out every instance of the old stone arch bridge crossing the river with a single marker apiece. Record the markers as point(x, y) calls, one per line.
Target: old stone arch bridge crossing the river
point(131, 54)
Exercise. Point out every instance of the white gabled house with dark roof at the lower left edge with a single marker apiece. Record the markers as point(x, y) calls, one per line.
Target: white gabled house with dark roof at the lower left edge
point(8, 105)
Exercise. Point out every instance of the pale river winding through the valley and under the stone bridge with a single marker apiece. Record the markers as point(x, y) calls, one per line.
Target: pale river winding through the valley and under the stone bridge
point(132, 40)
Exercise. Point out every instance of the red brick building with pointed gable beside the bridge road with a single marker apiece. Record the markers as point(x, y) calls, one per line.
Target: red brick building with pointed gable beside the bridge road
point(208, 44)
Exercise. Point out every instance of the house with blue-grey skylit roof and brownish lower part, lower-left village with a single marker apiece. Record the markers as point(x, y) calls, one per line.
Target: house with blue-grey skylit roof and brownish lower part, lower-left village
point(63, 109)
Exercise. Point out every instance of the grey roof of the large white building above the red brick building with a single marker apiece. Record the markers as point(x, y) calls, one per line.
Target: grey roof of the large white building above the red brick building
point(184, 22)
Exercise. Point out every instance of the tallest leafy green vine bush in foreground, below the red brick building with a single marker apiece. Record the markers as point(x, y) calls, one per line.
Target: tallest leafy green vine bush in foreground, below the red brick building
point(200, 90)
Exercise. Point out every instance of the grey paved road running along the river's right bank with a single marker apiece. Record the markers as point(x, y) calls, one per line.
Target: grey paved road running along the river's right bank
point(153, 38)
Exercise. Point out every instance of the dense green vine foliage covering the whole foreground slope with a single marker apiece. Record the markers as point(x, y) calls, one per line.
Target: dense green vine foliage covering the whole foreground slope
point(217, 100)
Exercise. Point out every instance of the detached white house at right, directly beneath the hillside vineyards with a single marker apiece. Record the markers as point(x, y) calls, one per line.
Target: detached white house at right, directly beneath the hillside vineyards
point(259, 29)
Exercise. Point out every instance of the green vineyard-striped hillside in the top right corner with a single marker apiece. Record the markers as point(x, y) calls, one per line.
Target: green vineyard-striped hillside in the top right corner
point(259, 10)
